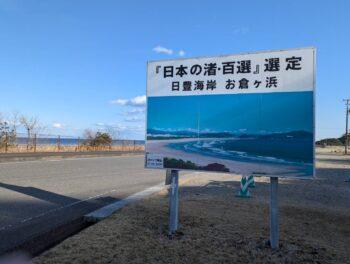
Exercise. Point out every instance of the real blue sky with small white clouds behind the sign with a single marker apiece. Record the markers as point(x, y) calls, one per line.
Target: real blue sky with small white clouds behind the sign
point(80, 64)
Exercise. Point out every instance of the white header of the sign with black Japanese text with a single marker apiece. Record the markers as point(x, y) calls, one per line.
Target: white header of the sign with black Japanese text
point(232, 74)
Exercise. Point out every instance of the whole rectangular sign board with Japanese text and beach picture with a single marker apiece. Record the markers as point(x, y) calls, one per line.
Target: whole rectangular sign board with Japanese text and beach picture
point(247, 114)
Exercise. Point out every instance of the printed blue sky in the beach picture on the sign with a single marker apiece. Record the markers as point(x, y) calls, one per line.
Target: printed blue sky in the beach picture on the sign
point(238, 113)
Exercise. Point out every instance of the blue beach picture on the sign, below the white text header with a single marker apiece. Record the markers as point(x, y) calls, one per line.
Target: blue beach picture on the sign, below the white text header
point(229, 133)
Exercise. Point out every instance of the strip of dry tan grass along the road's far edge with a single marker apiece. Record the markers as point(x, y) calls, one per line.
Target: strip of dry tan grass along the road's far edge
point(65, 148)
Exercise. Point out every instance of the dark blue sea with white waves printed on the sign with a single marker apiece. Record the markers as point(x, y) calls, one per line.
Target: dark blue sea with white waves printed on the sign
point(279, 150)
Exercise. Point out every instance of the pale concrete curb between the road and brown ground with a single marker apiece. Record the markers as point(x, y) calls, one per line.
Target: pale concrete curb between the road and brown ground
point(108, 210)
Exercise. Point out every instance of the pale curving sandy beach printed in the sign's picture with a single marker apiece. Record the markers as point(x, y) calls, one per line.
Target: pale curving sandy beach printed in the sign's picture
point(162, 148)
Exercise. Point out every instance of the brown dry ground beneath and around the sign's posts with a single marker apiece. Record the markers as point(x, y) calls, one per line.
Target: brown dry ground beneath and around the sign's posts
point(217, 227)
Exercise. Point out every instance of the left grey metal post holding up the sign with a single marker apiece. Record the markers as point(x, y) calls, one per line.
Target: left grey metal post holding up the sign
point(174, 202)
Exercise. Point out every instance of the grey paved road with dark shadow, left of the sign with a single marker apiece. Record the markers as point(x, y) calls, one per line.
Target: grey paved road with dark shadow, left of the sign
point(37, 195)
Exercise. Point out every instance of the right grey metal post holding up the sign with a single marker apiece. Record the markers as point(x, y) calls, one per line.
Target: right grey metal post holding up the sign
point(274, 233)
